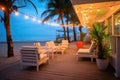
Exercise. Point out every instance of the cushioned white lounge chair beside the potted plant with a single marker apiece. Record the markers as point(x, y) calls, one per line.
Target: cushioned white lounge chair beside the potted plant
point(87, 52)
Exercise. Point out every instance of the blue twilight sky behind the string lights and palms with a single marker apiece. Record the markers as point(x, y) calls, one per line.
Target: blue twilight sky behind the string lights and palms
point(28, 30)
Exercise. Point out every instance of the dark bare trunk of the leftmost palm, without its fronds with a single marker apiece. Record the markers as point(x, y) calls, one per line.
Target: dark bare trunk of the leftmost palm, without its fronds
point(10, 51)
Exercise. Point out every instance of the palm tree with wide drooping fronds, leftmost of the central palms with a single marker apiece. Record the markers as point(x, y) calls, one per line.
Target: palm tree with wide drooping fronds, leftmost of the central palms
point(55, 10)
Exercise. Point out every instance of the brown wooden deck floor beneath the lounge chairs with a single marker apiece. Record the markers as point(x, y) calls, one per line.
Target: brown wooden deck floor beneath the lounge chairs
point(62, 67)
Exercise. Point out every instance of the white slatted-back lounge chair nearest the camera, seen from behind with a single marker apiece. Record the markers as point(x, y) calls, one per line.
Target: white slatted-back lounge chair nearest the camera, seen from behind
point(30, 56)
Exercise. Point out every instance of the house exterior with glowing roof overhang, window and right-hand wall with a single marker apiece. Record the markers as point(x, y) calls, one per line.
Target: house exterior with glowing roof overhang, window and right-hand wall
point(108, 12)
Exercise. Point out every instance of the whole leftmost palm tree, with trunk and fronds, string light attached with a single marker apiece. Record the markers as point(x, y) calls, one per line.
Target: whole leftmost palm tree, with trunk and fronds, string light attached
point(7, 7)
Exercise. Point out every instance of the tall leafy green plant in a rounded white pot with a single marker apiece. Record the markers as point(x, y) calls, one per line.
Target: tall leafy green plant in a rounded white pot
point(103, 49)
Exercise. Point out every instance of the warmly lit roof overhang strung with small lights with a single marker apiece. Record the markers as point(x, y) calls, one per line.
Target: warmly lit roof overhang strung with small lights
point(90, 11)
